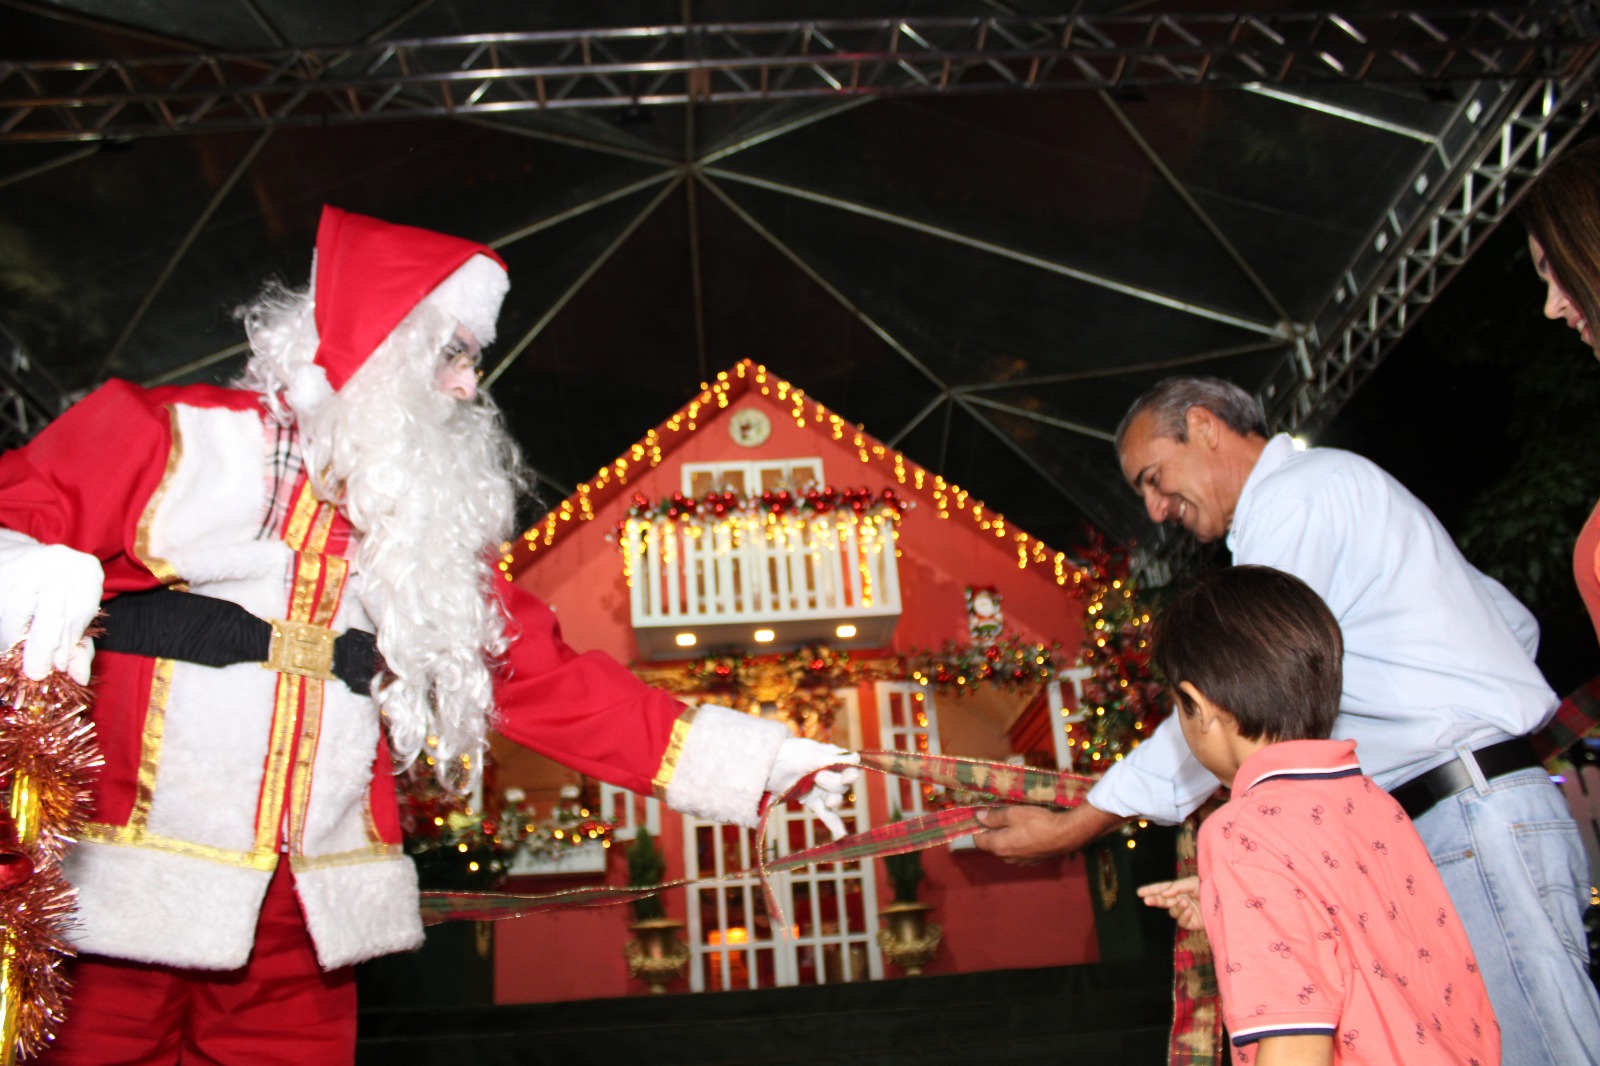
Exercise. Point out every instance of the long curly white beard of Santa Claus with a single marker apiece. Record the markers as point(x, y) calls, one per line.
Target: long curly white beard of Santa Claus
point(431, 486)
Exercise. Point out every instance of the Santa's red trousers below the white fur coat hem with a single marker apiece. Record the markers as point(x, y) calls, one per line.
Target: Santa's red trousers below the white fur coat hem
point(279, 1009)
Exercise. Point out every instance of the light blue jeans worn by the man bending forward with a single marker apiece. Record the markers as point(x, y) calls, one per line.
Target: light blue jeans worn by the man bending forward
point(1516, 870)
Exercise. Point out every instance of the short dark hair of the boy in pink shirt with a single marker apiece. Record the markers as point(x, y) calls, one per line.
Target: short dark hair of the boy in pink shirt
point(1262, 646)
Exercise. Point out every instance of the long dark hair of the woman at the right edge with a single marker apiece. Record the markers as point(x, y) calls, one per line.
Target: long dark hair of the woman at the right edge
point(1562, 212)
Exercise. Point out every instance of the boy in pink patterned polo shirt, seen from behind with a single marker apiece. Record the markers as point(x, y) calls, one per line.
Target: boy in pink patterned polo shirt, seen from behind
point(1334, 936)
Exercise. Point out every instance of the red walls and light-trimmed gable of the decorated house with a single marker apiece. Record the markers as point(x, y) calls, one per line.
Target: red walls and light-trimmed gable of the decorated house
point(945, 543)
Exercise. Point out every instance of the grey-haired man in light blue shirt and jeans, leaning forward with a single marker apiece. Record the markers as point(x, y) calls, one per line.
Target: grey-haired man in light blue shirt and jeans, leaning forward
point(1441, 692)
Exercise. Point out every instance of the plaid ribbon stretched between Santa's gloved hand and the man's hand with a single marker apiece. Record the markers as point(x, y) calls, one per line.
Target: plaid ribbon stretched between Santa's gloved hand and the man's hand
point(999, 782)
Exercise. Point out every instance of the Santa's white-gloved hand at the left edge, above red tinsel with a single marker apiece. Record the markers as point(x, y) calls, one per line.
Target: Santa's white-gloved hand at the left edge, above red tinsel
point(49, 596)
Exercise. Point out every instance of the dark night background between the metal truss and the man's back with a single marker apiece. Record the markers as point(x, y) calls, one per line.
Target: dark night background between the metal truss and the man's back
point(1486, 403)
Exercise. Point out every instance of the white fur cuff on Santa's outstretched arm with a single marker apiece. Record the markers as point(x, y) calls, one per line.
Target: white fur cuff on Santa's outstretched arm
point(727, 759)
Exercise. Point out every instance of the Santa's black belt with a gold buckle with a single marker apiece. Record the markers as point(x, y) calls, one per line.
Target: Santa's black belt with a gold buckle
point(220, 633)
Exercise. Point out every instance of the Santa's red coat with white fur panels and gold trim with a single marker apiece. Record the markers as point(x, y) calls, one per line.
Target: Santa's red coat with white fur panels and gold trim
point(212, 774)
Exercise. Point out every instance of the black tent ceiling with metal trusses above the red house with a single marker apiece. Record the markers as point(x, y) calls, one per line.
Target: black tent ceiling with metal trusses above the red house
point(977, 230)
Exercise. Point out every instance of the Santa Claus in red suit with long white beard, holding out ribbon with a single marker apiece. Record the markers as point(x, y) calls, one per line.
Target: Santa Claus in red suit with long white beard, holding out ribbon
point(302, 598)
